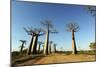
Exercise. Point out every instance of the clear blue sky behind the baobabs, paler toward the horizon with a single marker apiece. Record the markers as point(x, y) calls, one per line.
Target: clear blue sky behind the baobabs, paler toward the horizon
point(27, 14)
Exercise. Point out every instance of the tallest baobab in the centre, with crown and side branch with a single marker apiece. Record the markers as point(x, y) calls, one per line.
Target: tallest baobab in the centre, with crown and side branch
point(49, 26)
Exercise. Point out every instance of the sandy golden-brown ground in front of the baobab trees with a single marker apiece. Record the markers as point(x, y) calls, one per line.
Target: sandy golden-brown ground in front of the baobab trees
point(58, 58)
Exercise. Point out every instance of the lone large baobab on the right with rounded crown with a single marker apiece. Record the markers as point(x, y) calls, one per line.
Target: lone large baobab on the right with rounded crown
point(73, 27)
